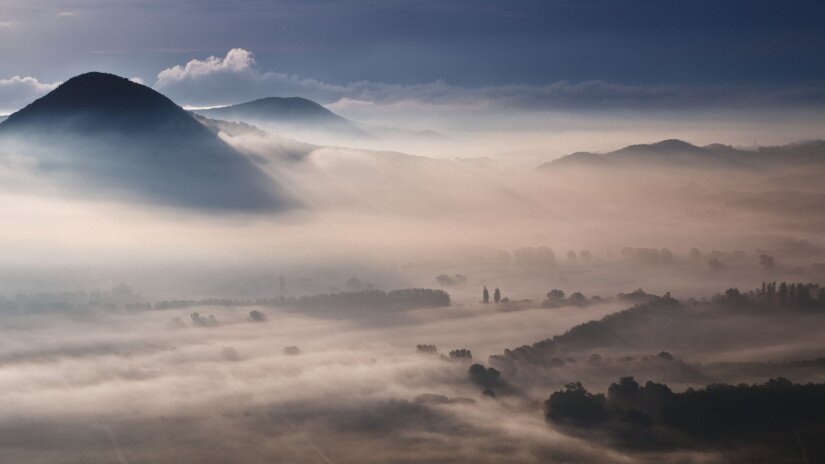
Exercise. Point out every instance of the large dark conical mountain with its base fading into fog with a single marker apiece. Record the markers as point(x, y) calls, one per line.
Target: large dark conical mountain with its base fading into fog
point(104, 131)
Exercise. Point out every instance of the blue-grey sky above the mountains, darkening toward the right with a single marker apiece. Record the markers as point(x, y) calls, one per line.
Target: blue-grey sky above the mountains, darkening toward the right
point(556, 53)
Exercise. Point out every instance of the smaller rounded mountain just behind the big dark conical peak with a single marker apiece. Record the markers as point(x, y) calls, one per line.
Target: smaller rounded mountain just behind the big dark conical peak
point(284, 111)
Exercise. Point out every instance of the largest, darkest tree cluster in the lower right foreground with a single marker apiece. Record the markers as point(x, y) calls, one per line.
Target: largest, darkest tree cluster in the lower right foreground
point(706, 412)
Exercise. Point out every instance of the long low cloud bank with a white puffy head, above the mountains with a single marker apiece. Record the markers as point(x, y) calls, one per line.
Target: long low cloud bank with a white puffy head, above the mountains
point(236, 78)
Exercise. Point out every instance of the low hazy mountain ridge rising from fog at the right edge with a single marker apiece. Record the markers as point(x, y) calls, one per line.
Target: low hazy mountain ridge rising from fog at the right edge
point(678, 153)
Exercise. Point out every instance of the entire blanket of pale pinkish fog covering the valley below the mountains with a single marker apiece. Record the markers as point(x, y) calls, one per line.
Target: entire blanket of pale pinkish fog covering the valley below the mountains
point(90, 369)
